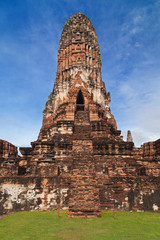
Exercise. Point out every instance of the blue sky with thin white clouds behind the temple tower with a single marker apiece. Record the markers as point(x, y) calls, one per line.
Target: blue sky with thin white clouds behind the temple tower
point(129, 38)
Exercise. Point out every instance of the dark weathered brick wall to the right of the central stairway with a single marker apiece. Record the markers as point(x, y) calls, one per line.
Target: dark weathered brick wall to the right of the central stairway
point(129, 184)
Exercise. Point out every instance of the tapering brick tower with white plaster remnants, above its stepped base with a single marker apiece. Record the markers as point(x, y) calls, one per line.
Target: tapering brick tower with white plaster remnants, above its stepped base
point(78, 70)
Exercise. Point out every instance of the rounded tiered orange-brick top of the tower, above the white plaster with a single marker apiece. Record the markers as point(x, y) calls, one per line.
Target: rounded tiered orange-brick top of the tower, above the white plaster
point(78, 48)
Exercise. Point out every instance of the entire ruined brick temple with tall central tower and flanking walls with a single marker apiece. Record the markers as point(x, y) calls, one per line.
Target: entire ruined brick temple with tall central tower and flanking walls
point(80, 158)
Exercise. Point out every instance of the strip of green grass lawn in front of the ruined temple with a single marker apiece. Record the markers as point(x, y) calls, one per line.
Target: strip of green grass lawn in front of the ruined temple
point(46, 226)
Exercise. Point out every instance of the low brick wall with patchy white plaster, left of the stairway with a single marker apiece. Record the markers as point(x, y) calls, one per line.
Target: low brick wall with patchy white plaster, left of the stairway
point(32, 193)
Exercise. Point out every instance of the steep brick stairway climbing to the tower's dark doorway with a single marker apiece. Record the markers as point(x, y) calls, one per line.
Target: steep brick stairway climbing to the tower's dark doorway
point(84, 193)
